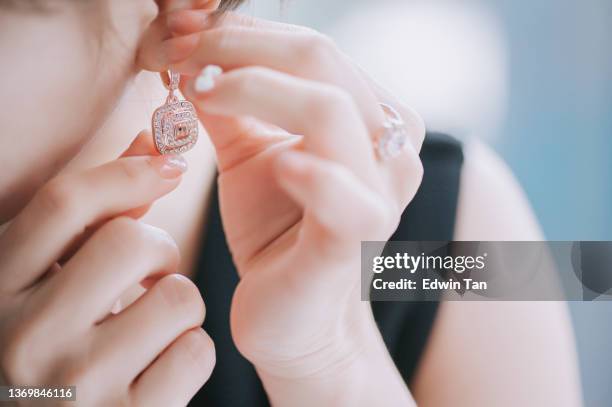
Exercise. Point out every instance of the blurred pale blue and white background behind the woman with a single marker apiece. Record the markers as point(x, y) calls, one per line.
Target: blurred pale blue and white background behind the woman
point(532, 79)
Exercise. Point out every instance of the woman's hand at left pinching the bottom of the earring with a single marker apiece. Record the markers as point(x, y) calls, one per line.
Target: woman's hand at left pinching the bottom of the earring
point(56, 325)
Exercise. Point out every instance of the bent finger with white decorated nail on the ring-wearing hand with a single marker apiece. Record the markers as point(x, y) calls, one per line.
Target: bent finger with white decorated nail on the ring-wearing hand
point(326, 116)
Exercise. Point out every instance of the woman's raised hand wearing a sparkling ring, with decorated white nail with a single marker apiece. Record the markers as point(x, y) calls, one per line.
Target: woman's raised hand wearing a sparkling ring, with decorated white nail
point(294, 123)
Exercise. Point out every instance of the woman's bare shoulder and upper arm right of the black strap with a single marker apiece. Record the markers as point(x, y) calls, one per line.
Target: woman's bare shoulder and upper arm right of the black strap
point(467, 337)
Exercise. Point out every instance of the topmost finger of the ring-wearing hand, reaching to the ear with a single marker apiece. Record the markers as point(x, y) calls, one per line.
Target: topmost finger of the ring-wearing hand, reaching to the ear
point(304, 54)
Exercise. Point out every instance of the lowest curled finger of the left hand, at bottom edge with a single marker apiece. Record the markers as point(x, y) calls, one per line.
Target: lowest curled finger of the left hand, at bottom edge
point(179, 372)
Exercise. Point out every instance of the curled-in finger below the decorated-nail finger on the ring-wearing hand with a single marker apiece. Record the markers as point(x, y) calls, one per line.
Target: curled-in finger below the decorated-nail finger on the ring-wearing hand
point(323, 188)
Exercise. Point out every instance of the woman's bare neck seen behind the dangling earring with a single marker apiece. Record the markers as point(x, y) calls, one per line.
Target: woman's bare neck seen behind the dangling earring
point(181, 212)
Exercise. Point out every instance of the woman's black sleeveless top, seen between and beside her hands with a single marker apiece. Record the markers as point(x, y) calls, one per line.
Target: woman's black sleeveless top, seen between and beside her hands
point(405, 326)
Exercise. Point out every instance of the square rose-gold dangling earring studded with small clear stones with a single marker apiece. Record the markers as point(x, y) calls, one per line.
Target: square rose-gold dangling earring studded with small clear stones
point(175, 123)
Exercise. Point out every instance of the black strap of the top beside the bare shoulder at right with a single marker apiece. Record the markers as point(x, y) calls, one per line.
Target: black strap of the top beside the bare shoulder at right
point(405, 326)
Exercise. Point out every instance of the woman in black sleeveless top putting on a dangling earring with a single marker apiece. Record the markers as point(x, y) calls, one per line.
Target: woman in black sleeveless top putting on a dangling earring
point(294, 210)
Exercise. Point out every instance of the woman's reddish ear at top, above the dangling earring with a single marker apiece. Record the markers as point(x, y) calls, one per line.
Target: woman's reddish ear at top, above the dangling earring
point(174, 34)
